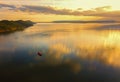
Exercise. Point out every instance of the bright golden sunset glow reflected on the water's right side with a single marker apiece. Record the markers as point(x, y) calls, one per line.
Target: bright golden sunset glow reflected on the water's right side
point(92, 45)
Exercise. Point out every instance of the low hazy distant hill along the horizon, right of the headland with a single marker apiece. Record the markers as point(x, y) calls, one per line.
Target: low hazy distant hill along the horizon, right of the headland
point(79, 21)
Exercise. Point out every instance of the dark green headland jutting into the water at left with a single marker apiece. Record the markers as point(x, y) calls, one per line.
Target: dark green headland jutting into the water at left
point(11, 26)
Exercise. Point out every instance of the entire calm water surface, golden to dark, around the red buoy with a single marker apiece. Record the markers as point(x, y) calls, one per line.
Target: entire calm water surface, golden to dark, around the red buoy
point(70, 53)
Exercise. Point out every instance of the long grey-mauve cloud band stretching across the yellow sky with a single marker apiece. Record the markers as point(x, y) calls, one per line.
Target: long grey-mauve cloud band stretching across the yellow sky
point(100, 11)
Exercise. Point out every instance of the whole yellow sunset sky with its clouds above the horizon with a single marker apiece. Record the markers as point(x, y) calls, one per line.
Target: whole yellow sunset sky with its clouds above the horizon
point(51, 10)
